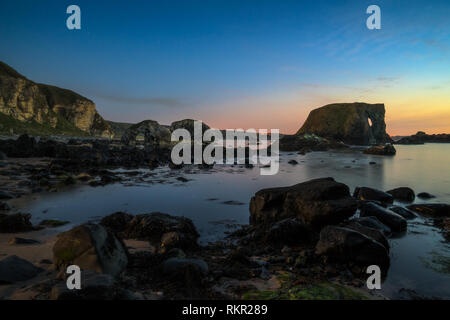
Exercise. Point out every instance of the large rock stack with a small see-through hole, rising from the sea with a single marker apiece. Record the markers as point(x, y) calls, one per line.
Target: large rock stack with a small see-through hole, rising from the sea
point(353, 123)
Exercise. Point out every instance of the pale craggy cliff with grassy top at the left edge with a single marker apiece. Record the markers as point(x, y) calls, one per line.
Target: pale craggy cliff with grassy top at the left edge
point(56, 108)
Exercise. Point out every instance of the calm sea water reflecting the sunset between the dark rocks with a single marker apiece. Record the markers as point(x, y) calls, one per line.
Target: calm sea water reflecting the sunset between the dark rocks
point(420, 259)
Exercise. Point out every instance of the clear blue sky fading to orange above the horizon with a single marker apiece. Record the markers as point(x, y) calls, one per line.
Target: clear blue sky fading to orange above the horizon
point(239, 64)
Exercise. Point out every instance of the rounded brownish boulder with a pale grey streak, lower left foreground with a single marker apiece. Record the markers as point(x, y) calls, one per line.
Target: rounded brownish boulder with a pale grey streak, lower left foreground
point(91, 247)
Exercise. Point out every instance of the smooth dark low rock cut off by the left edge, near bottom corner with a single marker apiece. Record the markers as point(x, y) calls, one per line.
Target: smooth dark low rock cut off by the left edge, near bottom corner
point(14, 269)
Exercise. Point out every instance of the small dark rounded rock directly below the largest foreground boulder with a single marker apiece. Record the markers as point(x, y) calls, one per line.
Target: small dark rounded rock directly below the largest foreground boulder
point(288, 232)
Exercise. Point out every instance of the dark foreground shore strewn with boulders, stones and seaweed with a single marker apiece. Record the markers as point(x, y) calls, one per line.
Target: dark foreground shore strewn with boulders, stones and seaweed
point(313, 240)
